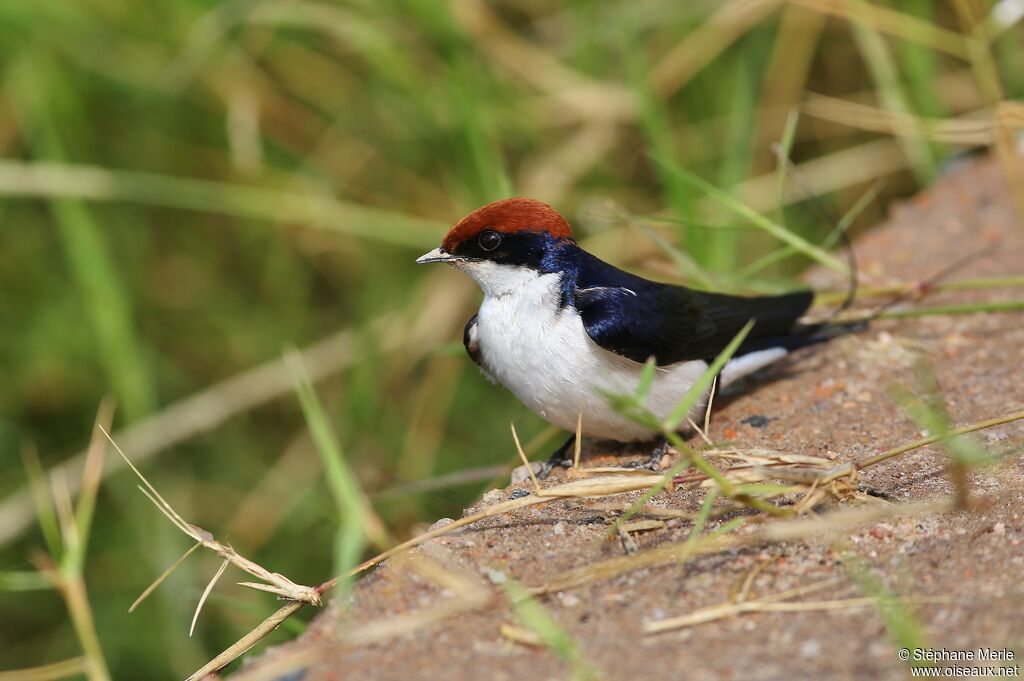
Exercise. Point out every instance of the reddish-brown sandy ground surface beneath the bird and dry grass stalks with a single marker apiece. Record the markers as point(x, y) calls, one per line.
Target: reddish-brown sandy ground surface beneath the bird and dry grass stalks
point(832, 403)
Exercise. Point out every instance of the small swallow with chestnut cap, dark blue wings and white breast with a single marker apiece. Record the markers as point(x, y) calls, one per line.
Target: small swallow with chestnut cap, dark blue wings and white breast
point(563, 330)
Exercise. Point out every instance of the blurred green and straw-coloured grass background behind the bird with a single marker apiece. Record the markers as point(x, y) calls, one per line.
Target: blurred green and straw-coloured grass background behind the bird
point(190, 189)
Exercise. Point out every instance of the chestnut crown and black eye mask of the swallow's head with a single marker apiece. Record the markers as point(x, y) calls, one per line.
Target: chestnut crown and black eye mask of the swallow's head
point(511, 231)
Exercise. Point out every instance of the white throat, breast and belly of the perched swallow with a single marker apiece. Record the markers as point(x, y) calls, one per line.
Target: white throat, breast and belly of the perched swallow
point(542, 354)
